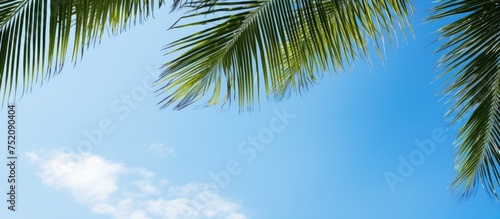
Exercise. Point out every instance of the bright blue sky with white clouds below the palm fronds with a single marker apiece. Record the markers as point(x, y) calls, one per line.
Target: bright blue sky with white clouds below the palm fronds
point(326, 154)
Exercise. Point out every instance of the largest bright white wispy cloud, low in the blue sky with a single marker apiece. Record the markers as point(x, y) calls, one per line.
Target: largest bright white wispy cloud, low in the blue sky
point(111, 188)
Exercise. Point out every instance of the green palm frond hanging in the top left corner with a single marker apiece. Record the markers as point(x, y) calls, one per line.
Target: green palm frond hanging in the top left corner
point(37, 35)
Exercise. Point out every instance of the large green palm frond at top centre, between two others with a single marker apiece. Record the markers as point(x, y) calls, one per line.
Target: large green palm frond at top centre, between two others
point(277, 46)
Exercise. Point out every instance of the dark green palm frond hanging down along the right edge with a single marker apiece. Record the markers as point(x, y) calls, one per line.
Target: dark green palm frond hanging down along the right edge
point(472, 52)
